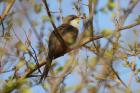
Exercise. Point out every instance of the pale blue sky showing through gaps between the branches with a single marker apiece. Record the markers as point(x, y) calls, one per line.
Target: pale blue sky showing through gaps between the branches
point(104, 21)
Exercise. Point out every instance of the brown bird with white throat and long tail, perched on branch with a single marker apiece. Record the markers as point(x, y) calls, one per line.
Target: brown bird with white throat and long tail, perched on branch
point(69, 32)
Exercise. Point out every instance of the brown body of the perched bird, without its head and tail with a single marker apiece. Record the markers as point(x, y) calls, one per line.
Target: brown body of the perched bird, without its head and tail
point(69, 35)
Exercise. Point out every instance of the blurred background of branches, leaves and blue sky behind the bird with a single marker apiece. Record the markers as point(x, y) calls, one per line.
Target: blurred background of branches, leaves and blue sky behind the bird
point(110, 64)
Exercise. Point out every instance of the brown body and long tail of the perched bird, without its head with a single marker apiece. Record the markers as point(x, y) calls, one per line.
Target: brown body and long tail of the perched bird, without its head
point(68, 33)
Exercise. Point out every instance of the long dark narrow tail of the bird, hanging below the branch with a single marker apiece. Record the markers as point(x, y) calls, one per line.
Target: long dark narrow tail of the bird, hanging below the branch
point(46, 69)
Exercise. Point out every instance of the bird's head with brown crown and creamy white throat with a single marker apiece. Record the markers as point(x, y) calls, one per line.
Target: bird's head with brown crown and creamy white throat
point(72, 20)
